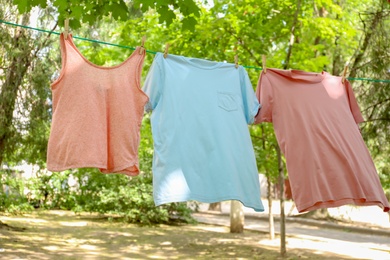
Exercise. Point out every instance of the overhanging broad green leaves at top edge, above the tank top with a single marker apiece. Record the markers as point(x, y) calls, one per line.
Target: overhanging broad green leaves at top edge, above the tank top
point(85, 11)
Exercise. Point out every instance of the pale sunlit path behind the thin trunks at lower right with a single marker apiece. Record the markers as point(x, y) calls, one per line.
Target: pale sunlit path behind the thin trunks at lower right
point(324, 240)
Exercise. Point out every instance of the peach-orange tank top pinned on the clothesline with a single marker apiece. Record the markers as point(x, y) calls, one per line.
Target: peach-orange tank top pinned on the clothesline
point(97, 113)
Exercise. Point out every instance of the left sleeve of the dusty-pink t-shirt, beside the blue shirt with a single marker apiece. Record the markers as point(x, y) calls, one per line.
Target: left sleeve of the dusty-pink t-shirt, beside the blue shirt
point(264, 95)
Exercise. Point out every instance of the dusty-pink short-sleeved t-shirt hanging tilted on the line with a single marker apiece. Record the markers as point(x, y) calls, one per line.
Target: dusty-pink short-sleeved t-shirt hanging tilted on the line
point(315, 119)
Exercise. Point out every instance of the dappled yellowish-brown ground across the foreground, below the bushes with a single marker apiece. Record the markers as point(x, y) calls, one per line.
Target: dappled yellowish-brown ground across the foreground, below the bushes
point(62, 235)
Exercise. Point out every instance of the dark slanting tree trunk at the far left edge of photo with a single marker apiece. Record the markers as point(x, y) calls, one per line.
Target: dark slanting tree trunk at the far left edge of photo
point(9, 90)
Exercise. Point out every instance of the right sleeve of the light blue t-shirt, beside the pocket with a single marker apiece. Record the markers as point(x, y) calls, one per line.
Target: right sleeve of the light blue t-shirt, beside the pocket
point(251, 105)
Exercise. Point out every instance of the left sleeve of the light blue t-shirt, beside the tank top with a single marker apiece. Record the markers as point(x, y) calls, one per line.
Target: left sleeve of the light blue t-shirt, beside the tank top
point(154, 84)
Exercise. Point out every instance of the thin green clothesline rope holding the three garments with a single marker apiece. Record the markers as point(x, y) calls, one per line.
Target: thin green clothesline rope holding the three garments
point(152, 52)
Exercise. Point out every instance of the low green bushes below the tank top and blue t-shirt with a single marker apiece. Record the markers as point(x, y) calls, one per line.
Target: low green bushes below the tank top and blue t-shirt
point(88, 190)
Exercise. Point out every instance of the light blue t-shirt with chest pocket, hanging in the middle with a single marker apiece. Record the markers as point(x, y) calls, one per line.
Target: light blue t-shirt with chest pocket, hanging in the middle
point(202, 147)
